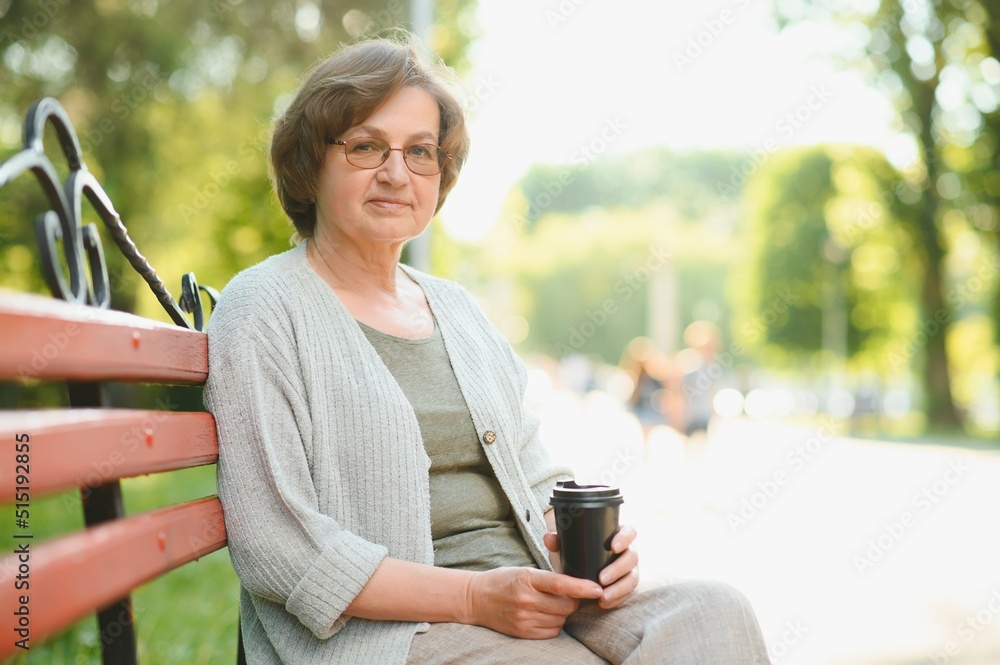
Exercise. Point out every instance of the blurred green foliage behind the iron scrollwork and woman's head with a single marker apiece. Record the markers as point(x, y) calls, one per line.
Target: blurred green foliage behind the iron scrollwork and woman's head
point(172, 102)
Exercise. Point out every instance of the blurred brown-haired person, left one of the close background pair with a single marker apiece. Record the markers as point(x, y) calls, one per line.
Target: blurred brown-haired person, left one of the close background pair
point(649, 370)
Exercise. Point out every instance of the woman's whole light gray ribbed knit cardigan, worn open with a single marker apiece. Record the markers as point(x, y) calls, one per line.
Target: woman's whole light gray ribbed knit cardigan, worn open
point(322, 470)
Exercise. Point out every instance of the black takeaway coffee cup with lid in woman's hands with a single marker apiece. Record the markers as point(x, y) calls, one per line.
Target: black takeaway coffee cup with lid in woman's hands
point(586, 521)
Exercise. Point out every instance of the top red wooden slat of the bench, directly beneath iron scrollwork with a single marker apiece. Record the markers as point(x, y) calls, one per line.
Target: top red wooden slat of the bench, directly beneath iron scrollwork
point(43, 338)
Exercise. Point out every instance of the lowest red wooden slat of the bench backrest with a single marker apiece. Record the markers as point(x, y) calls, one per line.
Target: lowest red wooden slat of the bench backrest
point(75, 575)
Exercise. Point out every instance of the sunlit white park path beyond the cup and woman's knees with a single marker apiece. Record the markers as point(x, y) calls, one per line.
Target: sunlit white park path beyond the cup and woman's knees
point(853, 552)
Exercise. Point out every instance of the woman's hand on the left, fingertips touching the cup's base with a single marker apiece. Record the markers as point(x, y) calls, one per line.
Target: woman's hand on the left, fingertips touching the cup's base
point(525, 602)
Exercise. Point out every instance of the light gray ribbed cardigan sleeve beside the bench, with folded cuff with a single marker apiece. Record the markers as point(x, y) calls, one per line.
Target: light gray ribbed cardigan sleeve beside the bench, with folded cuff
point(282, 547)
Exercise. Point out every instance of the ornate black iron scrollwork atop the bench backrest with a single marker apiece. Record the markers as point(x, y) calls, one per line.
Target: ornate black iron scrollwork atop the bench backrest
point(81, 245)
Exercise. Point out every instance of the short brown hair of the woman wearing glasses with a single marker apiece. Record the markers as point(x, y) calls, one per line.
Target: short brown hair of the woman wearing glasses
point(342, 91)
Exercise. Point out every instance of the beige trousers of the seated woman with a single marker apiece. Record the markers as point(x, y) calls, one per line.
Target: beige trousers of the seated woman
point(689, 623)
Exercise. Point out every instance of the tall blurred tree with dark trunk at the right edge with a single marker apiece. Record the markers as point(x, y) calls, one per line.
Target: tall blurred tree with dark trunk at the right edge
point(937, 62)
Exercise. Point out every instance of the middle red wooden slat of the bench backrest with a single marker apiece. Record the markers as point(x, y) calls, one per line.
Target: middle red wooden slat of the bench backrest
point(88, 447)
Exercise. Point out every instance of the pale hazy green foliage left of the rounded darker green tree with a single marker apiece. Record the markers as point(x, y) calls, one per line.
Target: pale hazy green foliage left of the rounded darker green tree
point(579, 247)
